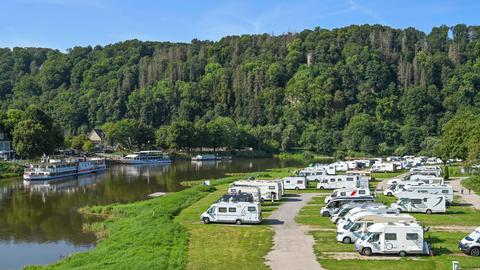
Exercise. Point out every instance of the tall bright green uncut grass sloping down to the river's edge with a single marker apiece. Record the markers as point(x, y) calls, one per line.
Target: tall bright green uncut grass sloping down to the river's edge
point(140, 235)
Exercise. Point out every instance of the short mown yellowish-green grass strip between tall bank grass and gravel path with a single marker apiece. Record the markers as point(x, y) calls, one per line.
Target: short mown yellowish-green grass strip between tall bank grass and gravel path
point(215, 246)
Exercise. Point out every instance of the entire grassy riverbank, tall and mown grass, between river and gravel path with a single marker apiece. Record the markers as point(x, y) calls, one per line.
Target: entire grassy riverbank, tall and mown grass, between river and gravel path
point(166, 233)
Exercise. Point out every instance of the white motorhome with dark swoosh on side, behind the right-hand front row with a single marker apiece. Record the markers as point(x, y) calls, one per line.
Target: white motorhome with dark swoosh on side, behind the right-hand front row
point(421, 203)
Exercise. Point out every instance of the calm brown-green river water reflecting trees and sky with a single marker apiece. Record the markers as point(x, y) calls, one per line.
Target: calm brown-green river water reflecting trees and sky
point(39, 223)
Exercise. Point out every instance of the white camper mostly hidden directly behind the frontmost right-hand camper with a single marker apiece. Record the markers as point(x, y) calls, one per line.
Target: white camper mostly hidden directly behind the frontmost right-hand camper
point(360, 222)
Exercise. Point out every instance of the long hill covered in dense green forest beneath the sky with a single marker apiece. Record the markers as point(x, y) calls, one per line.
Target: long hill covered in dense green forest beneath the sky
point(370, 89)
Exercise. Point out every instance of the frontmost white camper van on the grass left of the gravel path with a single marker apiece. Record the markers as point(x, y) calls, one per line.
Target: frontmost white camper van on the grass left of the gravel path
point(233, 212)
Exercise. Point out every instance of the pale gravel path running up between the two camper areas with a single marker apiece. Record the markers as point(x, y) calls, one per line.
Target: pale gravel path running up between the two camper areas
point(292, 245)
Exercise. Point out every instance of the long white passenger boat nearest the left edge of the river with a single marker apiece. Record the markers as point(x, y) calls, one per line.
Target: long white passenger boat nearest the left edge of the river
point(49, 169)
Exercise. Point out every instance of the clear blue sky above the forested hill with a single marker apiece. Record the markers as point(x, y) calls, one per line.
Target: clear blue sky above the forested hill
point(63, 24)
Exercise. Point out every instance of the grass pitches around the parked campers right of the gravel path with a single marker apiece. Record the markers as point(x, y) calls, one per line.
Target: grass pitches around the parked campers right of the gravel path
point(444, 243)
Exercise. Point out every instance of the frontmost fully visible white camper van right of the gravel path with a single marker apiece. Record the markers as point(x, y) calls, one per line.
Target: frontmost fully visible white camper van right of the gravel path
point(393, 238)
